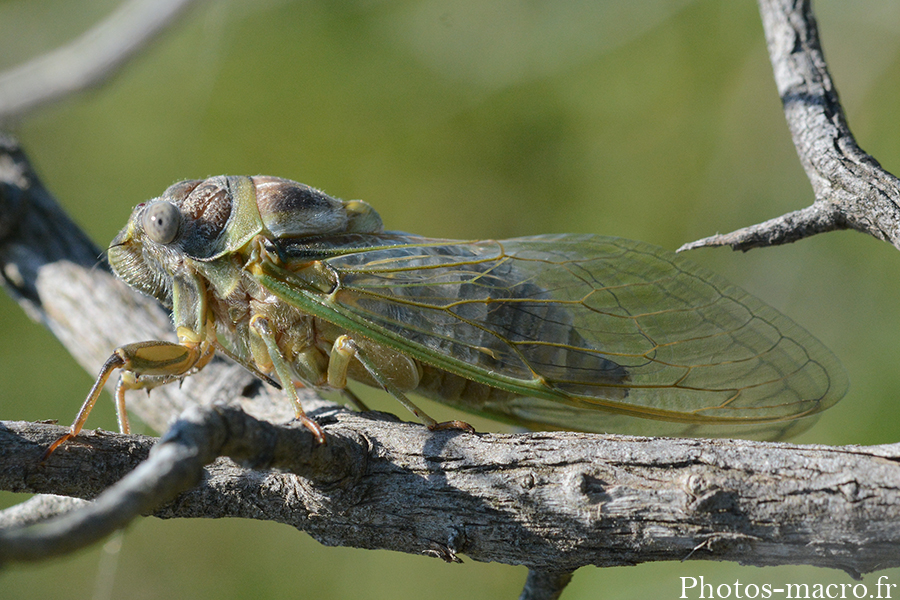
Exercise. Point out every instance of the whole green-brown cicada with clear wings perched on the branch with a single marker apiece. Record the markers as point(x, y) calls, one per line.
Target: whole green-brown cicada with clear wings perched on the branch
point(568, 331)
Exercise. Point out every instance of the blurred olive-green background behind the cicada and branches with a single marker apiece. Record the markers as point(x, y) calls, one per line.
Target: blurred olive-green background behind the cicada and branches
point(653, 119)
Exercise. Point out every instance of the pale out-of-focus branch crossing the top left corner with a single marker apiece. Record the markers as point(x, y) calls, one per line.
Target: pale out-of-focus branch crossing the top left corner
point(90, 59)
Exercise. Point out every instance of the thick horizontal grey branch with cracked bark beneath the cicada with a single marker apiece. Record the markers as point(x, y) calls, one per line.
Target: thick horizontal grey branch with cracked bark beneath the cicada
point(551, 501)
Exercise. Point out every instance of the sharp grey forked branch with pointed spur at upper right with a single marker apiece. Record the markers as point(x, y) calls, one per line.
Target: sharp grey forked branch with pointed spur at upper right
point(851, 189)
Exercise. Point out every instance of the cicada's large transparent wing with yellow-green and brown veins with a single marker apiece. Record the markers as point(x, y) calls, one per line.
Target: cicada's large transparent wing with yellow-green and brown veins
point(586, 332)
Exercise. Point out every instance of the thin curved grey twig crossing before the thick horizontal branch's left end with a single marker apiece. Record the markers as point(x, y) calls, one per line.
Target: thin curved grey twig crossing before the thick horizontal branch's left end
point(174, 465)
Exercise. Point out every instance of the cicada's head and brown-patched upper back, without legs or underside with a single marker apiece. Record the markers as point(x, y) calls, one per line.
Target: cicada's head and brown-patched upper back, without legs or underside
point(204, 220)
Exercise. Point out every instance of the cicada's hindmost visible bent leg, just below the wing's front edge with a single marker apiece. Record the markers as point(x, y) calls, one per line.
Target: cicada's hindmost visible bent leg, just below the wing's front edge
point(345, 350)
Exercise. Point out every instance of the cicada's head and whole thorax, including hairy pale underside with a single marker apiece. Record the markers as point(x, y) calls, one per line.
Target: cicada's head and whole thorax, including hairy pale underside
point(191, 247)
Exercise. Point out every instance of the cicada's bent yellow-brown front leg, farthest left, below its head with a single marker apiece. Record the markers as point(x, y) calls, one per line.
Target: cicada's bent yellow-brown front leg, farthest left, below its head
point(144, 365)
